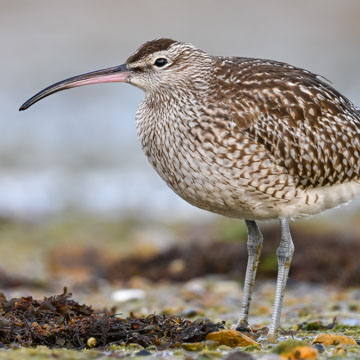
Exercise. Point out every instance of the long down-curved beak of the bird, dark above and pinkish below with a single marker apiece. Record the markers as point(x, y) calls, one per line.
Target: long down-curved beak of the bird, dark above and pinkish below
point(114, 74)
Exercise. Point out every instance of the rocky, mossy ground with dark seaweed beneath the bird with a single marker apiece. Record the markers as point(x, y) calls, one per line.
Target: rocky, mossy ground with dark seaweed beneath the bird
point(145, 290)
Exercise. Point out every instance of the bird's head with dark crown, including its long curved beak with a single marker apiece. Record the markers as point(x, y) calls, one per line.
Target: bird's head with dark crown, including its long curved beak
point(157, 65)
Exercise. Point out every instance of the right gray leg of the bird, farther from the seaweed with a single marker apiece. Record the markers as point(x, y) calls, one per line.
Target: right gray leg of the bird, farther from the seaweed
point(284, 255)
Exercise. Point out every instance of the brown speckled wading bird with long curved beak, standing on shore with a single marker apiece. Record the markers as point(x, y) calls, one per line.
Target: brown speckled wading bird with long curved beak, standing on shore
point(247, 138)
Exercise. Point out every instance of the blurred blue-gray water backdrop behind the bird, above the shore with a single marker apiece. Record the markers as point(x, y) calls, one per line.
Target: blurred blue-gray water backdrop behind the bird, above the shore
point(77, 150)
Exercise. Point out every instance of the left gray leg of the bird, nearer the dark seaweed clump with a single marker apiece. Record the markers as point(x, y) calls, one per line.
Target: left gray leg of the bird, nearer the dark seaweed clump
point(254, 245)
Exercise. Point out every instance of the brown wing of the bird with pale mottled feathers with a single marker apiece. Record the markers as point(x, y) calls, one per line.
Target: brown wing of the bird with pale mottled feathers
point(306, 125)
